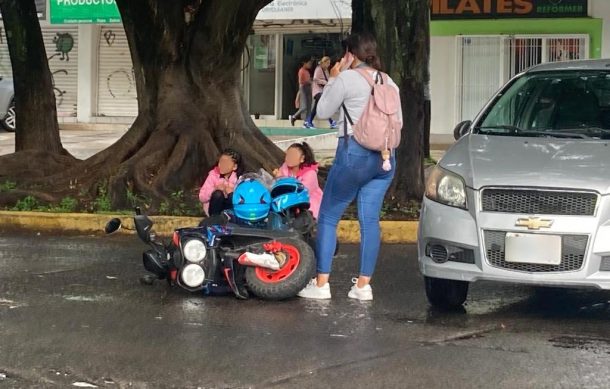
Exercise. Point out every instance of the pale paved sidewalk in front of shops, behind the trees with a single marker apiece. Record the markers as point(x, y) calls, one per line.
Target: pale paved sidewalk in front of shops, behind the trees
point(84, 140)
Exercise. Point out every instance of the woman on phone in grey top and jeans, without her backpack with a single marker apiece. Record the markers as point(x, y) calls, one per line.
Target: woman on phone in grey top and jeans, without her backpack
point(357, 173)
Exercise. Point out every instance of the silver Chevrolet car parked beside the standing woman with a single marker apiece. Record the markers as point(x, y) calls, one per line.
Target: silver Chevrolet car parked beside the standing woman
point(523, 196)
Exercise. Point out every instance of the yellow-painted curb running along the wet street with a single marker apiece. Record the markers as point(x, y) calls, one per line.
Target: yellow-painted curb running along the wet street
point(348, 231)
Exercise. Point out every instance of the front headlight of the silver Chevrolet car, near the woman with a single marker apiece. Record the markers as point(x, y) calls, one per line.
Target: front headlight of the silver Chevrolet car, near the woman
point(446, 188)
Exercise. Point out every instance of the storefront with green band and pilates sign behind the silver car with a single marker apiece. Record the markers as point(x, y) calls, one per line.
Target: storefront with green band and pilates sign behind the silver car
point(486, 42)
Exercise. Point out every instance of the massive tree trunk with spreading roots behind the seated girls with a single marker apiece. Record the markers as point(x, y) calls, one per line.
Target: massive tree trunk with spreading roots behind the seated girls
point(186, 57)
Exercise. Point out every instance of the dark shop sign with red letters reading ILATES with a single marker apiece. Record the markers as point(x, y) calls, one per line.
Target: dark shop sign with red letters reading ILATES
point(496, 9)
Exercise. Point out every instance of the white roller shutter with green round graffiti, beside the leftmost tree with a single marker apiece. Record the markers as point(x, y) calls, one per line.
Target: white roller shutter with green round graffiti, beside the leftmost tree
point(61, 43)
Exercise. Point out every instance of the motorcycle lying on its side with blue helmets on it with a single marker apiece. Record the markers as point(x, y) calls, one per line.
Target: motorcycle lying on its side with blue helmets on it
point(259, 248)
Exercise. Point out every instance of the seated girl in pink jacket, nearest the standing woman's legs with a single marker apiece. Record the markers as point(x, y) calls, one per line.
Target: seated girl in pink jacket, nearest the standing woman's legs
point(301, 163)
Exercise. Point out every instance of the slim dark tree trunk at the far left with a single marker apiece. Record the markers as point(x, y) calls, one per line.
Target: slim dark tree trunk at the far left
point(36, 111)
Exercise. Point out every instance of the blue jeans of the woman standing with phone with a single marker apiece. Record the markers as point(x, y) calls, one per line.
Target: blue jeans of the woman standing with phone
point(355, 174)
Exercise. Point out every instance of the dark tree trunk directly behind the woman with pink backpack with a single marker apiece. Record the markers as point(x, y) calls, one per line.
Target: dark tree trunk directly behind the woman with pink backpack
point(403, 37)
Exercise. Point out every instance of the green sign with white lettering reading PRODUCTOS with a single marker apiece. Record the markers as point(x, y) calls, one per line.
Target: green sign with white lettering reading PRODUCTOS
point(84, 11)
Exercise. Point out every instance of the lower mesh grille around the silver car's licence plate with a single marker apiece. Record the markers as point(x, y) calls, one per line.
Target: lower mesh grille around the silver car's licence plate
point(573, 249)
